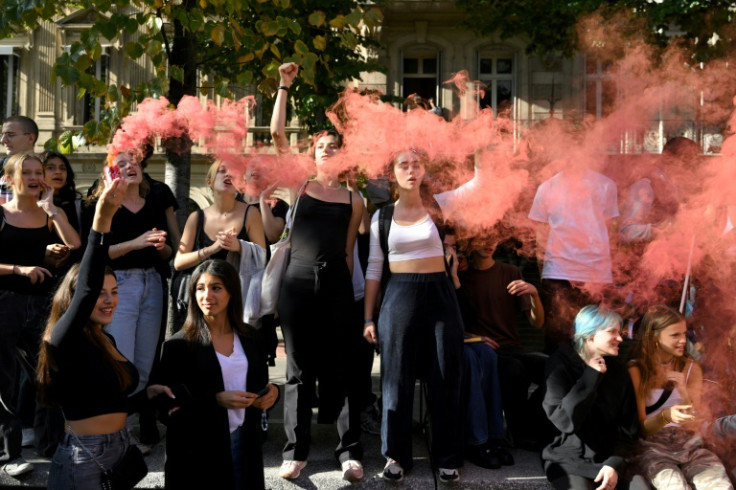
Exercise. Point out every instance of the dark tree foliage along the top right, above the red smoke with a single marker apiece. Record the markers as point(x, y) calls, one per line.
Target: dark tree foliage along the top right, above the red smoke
point(702, 27)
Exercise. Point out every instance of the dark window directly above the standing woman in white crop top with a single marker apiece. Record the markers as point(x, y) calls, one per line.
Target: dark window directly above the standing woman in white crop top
point(420, 72)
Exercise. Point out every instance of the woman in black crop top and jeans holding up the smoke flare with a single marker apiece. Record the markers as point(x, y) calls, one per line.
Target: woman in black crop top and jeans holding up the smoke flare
point(81, 370)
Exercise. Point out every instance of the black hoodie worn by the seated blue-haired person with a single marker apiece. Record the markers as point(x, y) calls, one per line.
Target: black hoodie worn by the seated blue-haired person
point(595, 414)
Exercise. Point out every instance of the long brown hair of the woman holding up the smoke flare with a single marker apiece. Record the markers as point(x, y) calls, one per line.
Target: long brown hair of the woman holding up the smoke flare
point(46, 363)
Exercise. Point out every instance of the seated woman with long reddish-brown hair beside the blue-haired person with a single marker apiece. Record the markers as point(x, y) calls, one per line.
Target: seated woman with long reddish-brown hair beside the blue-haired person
point(668, 385)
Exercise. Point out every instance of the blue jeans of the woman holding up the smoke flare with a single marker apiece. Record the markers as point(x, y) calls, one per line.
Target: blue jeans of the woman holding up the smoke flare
point(74, 468)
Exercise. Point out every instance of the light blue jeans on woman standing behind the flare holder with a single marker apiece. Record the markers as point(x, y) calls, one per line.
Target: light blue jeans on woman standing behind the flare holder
point(137, 320)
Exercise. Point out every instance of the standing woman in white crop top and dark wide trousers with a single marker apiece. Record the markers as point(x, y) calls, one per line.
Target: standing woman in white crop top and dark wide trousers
point(420, 331)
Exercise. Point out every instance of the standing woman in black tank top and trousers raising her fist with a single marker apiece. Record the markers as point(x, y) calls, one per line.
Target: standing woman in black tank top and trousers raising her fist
point(315, 301)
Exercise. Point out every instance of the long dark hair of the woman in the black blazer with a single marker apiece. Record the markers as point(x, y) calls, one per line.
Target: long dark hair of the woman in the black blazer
point(195, 328)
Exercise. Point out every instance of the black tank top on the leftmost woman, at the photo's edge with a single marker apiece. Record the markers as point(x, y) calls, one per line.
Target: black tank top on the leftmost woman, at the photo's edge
point(24, 247)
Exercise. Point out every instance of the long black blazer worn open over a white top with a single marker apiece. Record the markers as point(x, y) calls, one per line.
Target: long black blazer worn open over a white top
point(198, 436)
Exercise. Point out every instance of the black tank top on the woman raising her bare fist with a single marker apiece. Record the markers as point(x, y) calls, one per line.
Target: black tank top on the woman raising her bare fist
point(320, 230)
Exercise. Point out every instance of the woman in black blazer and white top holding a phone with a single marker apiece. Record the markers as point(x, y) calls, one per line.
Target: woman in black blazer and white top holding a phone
point(218, 372)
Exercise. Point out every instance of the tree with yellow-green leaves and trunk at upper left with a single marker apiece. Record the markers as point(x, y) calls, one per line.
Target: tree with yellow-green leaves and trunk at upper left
point(223, 42)
